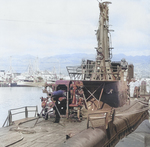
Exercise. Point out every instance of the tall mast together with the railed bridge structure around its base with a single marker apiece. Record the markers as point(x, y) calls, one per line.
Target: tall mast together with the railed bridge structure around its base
point(102, 69)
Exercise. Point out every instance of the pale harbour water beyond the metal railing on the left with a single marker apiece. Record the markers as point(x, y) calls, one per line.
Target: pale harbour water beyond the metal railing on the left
point(16, 97)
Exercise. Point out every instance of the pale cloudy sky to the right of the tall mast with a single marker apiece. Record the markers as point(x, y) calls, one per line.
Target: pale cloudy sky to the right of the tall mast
point(131, 27)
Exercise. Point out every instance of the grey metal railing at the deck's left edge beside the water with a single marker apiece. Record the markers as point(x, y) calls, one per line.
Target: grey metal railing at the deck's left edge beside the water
point(26, 112)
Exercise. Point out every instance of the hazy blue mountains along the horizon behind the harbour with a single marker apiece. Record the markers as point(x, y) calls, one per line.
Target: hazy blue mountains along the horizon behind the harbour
point(59, 62)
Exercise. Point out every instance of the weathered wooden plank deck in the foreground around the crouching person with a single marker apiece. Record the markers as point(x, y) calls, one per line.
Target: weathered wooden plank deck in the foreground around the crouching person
point(45, 133)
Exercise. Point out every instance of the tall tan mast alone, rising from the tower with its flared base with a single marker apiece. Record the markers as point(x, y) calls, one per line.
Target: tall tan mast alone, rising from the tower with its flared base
point(102, 70)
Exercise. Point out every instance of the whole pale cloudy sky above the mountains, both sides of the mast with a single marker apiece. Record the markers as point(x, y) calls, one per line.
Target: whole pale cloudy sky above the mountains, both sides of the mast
point(51, 27)
